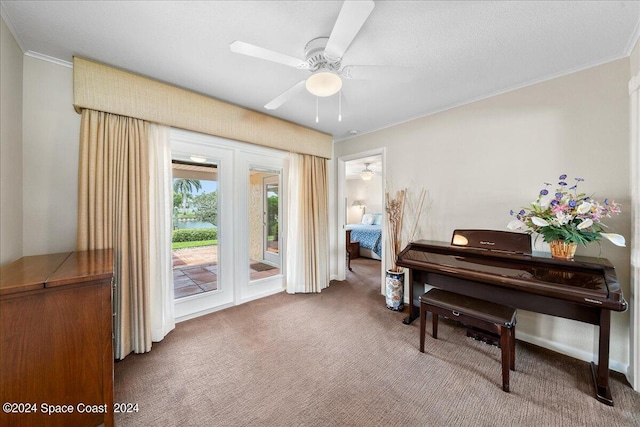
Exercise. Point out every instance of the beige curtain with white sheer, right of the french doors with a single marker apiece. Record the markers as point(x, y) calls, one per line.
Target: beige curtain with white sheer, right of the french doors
point(308, 225)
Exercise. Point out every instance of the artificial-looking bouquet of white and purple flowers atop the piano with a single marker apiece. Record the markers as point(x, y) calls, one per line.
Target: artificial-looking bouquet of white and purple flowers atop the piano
point(567, 215)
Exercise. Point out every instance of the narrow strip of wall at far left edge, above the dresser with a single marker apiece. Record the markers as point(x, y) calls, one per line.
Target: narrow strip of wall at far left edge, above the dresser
point(10, 147)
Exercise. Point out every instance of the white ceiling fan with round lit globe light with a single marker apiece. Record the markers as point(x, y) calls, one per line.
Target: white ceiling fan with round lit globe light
point(323, 57)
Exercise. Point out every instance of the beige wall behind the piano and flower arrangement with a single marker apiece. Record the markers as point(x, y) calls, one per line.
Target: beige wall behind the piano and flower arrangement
point(479, 160)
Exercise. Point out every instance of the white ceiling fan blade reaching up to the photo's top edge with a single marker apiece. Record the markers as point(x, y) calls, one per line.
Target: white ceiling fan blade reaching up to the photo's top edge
point(351, 18)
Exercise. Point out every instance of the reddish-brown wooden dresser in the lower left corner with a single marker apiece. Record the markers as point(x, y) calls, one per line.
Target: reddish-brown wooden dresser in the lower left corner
point(56, 342)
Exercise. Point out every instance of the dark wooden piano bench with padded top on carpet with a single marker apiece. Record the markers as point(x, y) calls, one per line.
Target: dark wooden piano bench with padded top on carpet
point(488, 316)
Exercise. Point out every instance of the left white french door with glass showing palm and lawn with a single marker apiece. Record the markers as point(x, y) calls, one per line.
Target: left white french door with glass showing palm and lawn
point(203, 264)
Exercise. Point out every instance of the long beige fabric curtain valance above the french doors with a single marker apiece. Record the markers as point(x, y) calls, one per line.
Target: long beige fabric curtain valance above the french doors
point(103, 88)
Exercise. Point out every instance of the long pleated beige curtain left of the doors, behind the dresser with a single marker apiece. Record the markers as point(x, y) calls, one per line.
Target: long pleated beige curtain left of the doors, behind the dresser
point(113, 213)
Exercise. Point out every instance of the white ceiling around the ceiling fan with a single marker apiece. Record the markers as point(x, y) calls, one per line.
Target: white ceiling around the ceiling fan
point(460, 51)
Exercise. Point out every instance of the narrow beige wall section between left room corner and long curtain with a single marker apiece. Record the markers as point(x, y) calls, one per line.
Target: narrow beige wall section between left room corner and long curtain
point(50, 147)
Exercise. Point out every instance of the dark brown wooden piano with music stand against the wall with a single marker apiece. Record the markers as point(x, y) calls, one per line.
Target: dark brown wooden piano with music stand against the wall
point(499, 266)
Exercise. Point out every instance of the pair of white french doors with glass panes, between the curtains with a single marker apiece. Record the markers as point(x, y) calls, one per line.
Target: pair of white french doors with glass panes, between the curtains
point(236, 209)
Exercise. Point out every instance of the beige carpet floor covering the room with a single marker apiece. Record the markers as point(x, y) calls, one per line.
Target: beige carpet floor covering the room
point(341, 358)
